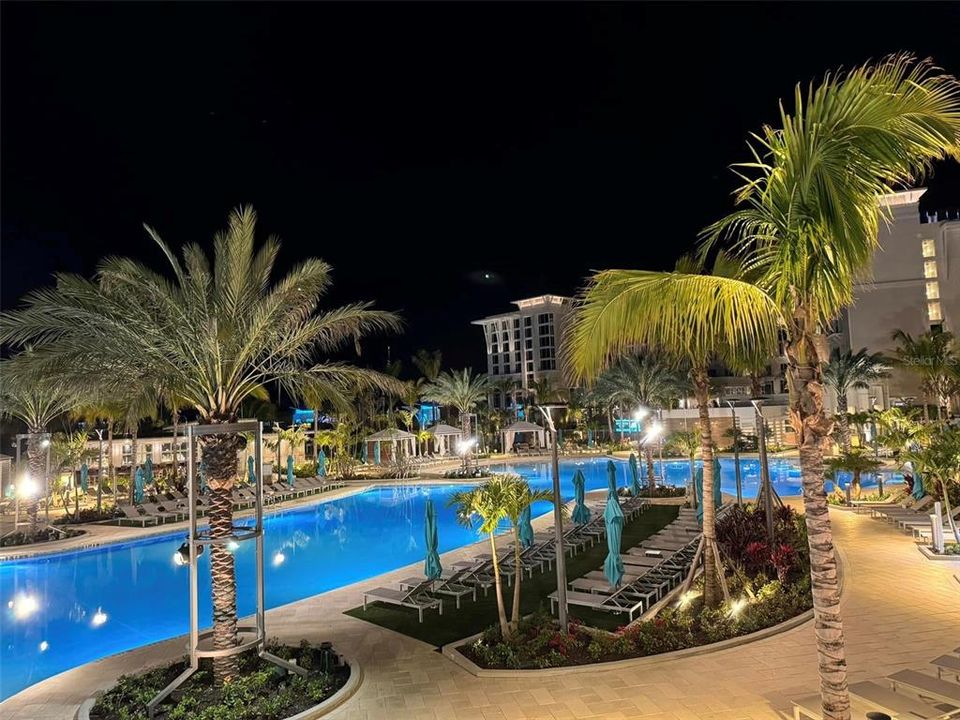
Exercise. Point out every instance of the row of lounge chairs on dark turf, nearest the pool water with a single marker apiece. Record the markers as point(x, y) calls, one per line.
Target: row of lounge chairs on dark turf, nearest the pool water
point(466, 577)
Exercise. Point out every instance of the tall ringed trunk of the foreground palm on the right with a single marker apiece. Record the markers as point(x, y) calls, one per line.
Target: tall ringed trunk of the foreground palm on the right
point(812, 426)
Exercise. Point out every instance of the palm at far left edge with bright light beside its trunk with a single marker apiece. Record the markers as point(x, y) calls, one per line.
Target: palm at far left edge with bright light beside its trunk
point(36, 400)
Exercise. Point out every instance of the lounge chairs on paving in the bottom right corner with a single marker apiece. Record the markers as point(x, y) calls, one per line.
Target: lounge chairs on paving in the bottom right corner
point(904, 694)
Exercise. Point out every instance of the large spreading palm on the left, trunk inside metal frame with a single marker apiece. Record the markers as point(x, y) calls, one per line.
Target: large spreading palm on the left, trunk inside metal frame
point(217, 330)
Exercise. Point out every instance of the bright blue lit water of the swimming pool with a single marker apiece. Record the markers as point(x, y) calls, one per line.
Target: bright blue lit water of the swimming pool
point(63, 610)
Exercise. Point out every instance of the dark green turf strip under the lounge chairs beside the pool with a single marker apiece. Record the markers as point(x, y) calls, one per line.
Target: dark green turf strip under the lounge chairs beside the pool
point(472, 617)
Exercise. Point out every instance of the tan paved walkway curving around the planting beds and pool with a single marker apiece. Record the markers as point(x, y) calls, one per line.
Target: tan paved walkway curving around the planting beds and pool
point(900, 610)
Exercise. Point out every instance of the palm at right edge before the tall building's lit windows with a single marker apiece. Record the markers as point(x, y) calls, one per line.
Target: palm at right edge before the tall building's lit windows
point(934, 358)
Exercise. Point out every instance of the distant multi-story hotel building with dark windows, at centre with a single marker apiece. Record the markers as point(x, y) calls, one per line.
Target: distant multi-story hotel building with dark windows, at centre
point(522, 346)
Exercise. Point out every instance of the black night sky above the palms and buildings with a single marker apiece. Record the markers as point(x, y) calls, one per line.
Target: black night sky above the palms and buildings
point(414, 147)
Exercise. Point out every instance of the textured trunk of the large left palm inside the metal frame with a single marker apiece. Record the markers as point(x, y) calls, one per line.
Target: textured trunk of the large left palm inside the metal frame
point(220, 460)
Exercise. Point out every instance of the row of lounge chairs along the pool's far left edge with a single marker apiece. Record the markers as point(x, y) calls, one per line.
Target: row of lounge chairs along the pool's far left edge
point(172, 505)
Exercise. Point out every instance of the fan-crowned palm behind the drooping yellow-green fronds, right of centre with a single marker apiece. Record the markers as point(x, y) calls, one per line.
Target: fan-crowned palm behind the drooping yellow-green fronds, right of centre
point(646, 381)
